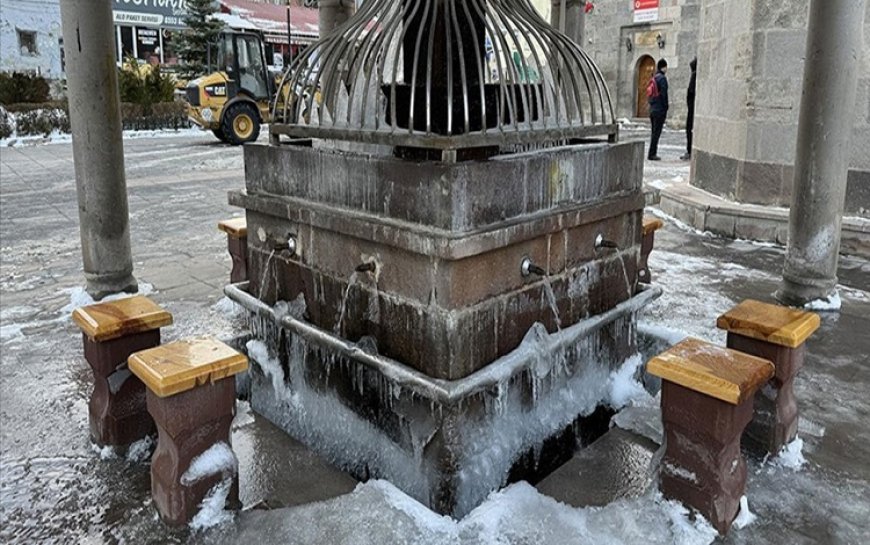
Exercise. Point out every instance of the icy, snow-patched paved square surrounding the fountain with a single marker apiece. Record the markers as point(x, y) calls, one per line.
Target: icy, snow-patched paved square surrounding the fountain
point(54, 487)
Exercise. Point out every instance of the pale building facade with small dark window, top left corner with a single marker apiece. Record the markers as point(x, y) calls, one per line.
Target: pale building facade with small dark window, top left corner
point(30, 37)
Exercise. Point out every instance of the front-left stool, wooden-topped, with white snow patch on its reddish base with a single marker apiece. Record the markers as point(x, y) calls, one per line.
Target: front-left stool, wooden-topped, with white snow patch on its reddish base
point(191, 395)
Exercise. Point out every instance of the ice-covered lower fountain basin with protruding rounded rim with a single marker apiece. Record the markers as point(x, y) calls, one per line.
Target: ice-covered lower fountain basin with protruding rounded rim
point(446, 443)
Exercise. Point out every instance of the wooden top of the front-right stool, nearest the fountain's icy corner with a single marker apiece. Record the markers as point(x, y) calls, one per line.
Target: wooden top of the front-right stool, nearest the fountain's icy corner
point(718, 372)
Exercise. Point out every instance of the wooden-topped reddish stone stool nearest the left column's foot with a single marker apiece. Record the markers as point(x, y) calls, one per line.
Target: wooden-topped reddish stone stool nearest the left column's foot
point(111, 332)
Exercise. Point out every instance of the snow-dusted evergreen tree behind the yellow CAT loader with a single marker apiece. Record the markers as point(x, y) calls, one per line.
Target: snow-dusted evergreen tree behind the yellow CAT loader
point(193, 42)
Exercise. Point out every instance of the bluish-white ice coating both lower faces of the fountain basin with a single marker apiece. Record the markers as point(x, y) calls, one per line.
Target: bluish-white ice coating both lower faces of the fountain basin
point(564, 385)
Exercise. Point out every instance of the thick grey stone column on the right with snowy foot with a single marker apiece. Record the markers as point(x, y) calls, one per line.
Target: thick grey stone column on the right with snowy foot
point(834, 42)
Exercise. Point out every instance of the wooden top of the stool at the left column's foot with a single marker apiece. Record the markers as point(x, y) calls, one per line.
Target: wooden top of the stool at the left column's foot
point(113, 319)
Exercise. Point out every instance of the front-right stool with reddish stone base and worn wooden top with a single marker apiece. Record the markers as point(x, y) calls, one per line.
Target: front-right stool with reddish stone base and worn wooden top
point(707, 394)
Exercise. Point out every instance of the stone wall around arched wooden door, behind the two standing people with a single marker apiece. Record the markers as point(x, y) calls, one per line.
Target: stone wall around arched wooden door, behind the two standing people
point(609, 30)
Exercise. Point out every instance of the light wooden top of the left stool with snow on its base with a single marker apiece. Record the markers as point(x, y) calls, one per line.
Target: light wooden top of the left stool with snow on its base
point(179, 366)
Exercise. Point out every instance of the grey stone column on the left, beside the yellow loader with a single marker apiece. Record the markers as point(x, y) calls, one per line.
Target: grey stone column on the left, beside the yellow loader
point(98, 151)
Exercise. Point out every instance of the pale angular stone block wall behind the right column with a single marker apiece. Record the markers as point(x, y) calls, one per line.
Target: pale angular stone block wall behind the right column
point(750, 73)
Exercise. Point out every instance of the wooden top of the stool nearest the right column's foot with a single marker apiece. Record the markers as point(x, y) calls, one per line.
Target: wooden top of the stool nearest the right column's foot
point(771, 323)
